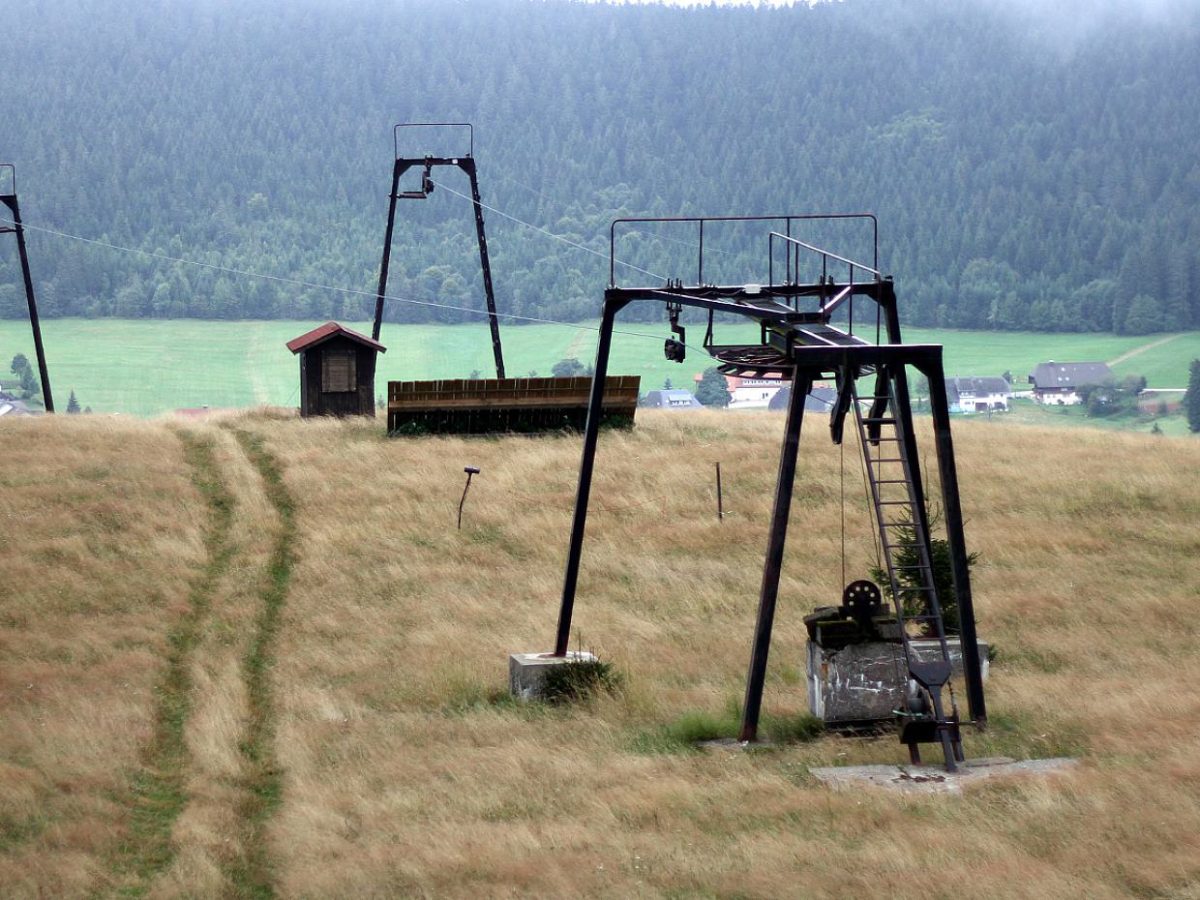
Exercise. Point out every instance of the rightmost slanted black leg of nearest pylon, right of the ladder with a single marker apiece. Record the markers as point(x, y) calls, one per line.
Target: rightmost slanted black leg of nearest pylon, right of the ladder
point(957, 541)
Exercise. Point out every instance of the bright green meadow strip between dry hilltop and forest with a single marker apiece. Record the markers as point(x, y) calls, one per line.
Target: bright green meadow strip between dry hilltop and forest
point(147, 368)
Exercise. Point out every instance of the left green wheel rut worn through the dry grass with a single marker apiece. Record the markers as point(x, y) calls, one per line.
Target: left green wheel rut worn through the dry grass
point(159, 789)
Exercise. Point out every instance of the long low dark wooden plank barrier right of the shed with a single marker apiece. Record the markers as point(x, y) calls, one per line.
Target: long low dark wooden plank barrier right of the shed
point(489, 406)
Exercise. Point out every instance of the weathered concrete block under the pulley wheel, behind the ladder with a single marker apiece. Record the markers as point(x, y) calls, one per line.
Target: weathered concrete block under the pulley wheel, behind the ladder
point(865, 682)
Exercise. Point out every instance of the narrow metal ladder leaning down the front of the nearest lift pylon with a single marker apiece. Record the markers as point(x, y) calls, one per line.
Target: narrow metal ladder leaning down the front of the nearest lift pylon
point(893, 477)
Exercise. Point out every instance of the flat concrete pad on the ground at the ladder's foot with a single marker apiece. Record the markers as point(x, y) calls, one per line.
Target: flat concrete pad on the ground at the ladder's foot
point(935, 779)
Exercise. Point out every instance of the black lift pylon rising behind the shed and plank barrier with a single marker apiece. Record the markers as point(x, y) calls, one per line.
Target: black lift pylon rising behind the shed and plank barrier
point(428, 164)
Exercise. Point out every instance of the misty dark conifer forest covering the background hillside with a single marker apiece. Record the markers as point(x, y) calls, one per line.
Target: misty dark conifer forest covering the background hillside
point(1029, 172)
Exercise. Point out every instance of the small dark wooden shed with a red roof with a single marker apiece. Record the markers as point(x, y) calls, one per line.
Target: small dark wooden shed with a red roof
point(337, 371)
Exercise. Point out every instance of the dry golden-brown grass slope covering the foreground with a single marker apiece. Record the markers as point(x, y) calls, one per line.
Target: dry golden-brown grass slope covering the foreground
point(254, 656)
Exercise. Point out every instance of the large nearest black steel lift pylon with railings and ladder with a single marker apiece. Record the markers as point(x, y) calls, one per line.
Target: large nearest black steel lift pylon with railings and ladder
point(799, 341)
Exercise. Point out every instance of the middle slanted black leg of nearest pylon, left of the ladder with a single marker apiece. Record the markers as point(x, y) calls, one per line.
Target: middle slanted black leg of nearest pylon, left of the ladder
point(775, 562)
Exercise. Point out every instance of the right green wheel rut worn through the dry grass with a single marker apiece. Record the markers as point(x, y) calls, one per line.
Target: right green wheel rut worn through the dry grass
point(253, 874)
